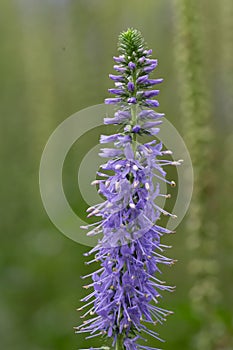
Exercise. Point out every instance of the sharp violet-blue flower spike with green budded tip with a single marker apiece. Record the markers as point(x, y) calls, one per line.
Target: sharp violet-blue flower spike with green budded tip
point(125, 289)
